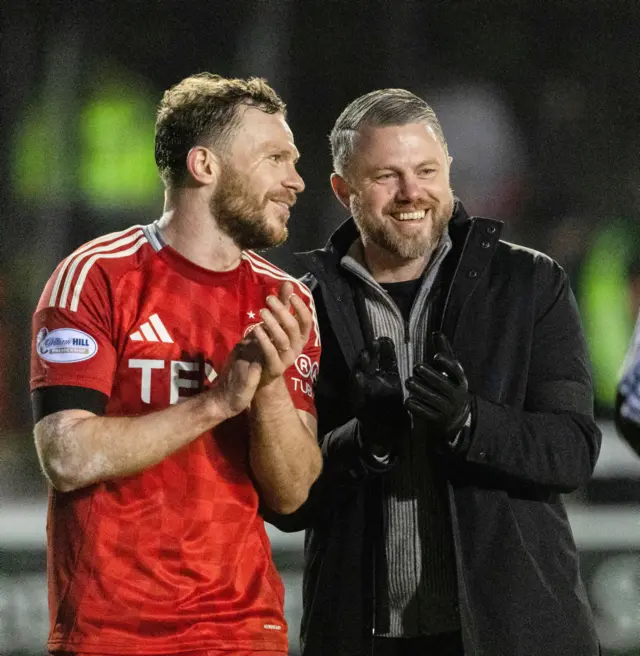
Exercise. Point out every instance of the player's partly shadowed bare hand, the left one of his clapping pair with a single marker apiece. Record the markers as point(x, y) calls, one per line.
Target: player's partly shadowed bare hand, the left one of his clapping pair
point(238, 381)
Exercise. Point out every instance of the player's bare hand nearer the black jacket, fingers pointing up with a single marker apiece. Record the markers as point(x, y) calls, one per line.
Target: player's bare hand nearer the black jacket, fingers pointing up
point(283, 333)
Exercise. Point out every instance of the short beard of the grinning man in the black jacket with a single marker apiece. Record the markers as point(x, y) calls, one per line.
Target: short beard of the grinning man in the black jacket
point(407, 247)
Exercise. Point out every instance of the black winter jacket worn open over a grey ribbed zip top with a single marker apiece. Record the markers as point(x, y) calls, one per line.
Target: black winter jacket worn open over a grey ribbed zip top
point(513, 323)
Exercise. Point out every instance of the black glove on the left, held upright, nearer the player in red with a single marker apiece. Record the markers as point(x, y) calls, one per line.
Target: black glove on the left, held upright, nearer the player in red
point(378, 397)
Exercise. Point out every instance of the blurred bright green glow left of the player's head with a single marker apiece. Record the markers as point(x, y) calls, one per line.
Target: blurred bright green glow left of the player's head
point(103, 153)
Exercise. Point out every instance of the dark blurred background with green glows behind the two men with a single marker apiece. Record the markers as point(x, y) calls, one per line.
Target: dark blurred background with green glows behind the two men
point(539, 103)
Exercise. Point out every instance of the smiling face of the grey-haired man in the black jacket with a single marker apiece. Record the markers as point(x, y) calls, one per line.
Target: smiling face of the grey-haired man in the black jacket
point(397, 188)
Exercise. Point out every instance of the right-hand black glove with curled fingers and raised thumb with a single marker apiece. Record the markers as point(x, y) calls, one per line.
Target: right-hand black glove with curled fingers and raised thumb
point(439, 393)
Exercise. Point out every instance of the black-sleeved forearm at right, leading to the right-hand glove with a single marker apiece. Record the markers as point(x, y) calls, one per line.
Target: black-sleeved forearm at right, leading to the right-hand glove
point(553, 450)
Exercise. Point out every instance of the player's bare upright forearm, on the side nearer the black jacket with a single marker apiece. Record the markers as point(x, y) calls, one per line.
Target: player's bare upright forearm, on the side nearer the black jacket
point(284, 454)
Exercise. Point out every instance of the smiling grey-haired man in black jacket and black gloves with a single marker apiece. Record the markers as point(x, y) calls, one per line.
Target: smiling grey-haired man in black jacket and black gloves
point(455, 407)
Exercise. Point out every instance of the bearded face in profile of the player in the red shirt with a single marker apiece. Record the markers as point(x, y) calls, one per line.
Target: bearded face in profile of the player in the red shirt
point(258, 181)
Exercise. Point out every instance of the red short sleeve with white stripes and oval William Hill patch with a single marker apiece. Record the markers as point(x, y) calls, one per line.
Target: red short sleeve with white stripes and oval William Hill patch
point(72, 342)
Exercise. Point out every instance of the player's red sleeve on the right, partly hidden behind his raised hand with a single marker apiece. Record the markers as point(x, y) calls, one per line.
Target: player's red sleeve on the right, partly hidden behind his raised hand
point(301, 377)
